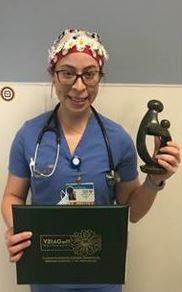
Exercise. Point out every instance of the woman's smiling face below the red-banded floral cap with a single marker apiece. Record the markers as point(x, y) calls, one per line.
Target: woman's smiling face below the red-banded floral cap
point(73, 93)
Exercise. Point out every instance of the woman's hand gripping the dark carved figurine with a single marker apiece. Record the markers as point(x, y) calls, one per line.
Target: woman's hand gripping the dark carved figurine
point(169, 158)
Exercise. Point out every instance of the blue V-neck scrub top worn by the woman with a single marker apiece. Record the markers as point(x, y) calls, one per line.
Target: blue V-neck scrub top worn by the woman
point(94, 165)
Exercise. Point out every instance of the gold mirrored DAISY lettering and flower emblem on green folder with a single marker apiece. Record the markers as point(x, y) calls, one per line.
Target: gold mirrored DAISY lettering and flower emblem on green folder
point(80, 246)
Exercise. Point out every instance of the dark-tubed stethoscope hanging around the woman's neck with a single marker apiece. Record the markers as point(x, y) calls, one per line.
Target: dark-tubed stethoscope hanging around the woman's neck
point(112, 175)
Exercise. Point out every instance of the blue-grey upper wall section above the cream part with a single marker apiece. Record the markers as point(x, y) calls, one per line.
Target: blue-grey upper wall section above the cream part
point(143, 37)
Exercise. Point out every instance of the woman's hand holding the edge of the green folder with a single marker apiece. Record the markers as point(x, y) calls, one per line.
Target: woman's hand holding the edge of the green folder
point(16, 243)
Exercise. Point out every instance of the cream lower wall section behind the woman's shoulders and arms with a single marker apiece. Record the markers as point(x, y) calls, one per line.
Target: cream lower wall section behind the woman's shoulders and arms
point(154, 250)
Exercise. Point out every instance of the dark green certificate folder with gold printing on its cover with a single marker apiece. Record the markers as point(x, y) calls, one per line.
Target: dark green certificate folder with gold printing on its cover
point(72, 244)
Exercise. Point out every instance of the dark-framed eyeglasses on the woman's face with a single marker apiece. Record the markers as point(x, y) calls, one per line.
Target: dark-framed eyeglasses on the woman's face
point(69, 77)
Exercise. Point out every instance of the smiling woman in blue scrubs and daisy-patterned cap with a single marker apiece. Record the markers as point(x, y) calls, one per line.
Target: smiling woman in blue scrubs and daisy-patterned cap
point(76, 62)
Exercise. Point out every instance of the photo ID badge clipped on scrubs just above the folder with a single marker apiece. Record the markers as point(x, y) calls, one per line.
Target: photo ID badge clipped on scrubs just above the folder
point(78, 194)
